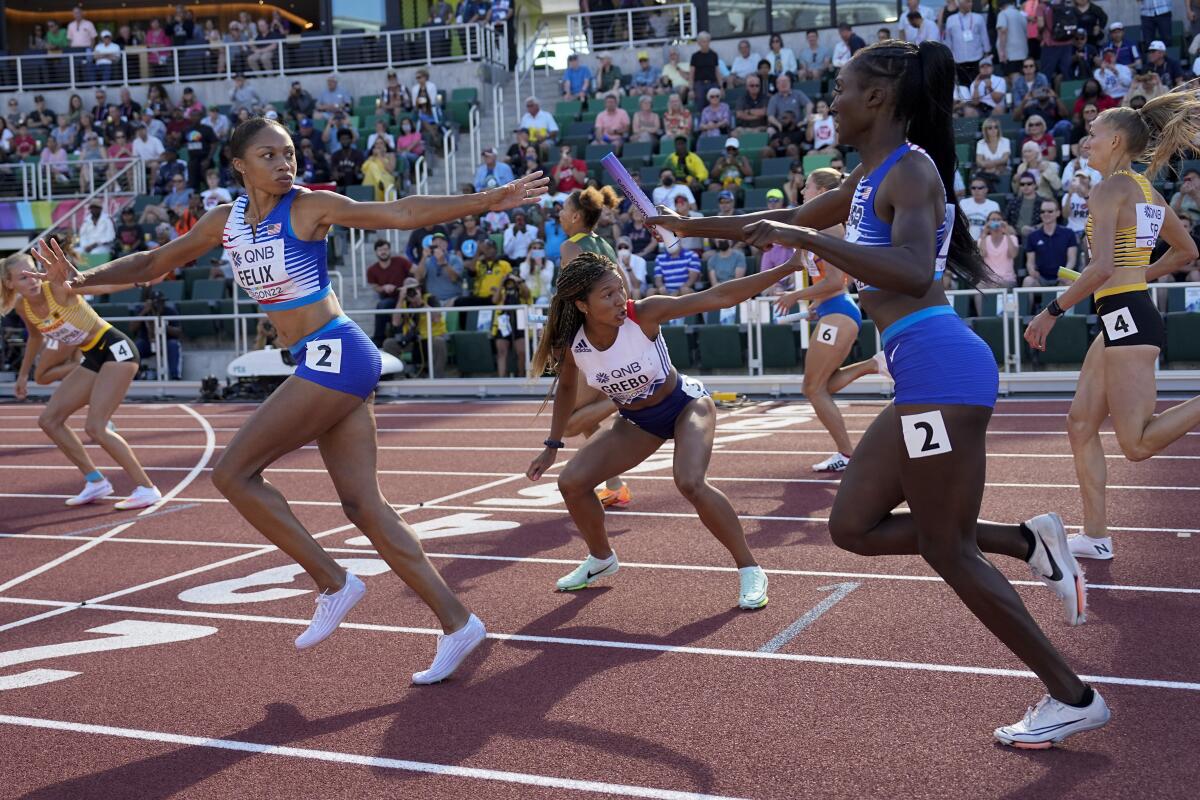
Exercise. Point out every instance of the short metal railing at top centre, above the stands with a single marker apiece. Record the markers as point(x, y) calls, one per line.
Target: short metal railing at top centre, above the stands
point(632, 27)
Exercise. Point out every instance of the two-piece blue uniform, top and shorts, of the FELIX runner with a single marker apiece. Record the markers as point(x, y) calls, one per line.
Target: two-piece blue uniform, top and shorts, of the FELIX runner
point(283, 272)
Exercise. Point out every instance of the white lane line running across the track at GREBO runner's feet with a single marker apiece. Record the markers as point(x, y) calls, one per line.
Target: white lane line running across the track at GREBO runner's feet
point(632, 566)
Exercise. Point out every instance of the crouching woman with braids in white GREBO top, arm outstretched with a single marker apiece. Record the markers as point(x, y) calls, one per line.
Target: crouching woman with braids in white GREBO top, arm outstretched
point(596, 333)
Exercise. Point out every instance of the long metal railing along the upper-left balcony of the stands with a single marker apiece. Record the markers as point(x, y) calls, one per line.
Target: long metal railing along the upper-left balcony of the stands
point(284, 57)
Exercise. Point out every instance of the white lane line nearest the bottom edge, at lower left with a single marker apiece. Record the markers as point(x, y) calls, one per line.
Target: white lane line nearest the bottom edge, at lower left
point(375, 762)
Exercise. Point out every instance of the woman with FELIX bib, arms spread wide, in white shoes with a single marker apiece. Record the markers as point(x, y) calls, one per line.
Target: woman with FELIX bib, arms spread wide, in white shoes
point(275, 237)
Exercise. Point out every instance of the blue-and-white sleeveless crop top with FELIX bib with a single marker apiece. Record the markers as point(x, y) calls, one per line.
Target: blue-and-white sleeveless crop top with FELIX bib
point(278, 270)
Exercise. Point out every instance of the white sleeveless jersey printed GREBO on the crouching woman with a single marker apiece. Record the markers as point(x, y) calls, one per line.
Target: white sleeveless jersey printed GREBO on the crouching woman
point(628, 371)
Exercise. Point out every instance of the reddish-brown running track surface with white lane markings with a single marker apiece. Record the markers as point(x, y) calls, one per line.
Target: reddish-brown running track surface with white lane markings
point(575, 691)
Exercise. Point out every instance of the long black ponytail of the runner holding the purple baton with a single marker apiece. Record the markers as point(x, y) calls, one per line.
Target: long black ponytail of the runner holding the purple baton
point(923, 79)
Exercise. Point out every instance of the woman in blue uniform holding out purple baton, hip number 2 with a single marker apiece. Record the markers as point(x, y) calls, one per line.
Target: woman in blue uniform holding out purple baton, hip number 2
point(893, 104)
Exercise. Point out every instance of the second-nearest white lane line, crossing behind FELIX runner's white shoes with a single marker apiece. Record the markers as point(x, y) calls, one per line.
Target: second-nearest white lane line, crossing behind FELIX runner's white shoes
point(611, 645)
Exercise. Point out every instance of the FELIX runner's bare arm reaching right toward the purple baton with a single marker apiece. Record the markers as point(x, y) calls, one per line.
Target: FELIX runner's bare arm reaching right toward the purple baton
point(421, 212)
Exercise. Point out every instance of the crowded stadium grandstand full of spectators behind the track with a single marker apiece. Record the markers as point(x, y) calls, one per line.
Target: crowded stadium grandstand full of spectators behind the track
point(116, 125)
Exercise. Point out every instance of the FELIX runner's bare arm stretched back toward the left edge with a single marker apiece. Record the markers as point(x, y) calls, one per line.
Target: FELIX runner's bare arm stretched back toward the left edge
point(136, 268)
